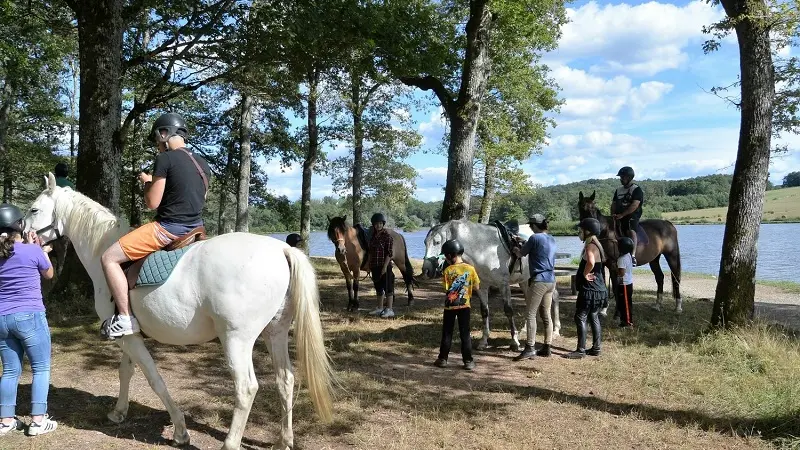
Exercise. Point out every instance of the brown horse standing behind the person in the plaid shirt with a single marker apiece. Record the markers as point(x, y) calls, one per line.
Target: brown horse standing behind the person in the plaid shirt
point(351, 253)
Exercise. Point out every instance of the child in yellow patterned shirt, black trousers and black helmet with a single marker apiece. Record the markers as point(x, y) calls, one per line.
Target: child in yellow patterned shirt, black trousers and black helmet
point(460, 280)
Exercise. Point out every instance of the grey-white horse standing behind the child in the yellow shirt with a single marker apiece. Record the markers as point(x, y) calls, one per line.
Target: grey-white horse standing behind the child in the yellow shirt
point(484, 249)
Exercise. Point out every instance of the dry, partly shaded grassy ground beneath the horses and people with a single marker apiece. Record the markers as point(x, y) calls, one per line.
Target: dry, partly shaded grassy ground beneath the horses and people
point(662, 385)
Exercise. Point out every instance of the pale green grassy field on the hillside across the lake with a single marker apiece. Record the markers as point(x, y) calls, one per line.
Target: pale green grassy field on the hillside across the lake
point(780, 205)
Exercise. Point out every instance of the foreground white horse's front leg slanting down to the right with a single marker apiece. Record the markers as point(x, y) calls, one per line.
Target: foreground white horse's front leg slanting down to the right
point(133, 346)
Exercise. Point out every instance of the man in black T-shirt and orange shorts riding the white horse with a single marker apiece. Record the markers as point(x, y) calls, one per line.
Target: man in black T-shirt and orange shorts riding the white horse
point(177, 191)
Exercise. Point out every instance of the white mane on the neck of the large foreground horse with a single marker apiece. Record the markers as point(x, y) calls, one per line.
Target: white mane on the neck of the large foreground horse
point(88, 221)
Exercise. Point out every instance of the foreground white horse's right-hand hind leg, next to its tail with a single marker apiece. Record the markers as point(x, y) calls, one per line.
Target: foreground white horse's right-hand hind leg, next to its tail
point(284, 377)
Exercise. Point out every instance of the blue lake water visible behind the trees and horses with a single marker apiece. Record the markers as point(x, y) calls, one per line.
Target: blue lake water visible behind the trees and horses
point(701, 247)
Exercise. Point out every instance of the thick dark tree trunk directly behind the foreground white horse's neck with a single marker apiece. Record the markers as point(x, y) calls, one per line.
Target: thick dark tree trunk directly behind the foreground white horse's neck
point(99, 148)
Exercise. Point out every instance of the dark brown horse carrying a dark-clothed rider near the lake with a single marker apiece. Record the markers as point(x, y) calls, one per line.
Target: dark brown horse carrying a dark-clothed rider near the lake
point(661, 239)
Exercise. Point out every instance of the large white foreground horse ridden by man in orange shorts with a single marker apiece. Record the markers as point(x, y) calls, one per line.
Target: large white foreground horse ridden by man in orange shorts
point(236, 287)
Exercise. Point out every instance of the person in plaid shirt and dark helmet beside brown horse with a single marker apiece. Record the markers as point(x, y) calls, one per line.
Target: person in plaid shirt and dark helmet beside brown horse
point(380, 266)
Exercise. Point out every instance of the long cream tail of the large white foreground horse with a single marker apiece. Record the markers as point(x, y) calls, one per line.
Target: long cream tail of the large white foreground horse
point(315, 364)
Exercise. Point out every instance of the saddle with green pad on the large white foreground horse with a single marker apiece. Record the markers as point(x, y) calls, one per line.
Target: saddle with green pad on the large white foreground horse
point(158, 265)
